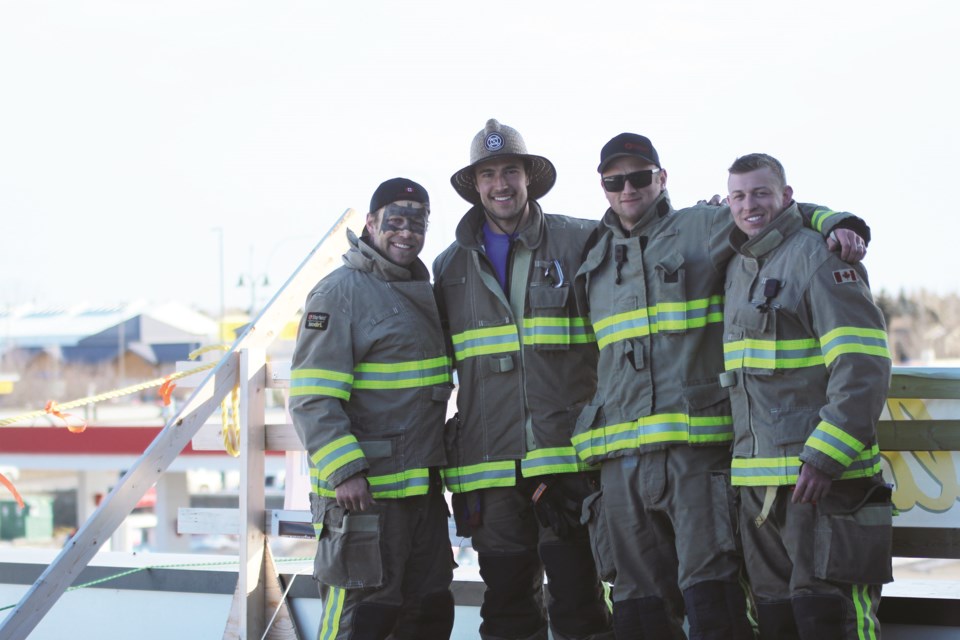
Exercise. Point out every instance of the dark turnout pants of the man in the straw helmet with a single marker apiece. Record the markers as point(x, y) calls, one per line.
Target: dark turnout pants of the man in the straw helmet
point(514, 551)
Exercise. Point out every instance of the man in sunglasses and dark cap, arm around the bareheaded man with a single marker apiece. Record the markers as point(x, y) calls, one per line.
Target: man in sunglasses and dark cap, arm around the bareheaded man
point(659, 424)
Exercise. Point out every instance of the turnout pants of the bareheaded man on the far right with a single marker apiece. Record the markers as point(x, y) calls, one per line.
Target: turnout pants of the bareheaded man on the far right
point(817, 570)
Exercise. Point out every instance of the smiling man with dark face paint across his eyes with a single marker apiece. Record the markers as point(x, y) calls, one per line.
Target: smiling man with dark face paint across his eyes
point(368, 396)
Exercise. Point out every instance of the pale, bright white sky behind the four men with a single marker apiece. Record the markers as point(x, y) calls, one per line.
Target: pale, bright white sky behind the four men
point(136, 136)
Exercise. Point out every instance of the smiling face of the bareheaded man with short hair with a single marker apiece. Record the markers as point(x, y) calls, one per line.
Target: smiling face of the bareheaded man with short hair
point(756, 198)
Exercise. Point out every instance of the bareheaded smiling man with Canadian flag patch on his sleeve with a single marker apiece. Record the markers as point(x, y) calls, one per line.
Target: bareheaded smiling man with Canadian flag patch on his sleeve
point(808, 369)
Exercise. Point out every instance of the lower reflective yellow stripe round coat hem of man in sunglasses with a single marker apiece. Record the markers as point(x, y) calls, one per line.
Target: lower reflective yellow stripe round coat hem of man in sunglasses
point(667, 428)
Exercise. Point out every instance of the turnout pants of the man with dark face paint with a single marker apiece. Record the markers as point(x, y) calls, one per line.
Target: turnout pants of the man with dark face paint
point(385, 572)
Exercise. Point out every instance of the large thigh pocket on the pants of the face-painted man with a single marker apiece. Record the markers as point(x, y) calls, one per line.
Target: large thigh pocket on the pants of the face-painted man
point(348, 550)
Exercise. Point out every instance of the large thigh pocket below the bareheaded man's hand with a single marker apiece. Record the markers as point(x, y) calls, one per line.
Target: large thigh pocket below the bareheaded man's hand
point(856, 547)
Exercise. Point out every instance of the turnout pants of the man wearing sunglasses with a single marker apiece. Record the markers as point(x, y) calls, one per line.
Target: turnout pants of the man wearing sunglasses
point(669, 519)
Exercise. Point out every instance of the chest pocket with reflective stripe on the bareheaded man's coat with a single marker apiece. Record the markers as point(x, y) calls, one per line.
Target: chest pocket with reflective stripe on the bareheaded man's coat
point(751, 342)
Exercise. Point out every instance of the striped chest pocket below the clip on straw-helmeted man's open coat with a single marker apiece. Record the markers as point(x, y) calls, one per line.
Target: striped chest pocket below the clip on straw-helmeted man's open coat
point(550, 327)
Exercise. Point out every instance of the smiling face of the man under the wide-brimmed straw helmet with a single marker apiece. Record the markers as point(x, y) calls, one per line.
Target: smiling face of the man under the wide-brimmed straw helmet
point(502, 185)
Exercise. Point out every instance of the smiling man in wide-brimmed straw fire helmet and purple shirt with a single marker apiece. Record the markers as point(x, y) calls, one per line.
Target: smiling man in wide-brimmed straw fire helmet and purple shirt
point(526, 365)
